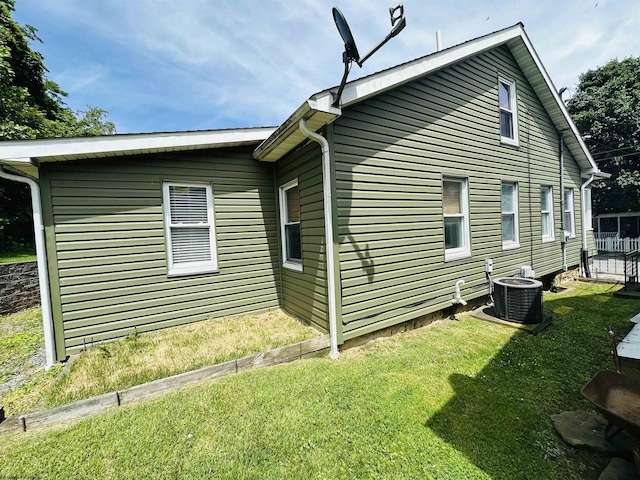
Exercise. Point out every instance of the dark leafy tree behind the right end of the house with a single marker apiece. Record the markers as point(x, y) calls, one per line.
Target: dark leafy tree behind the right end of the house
point(606, 110)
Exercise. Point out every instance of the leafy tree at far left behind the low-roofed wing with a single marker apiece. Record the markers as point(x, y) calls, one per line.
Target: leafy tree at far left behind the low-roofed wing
point(31, 106)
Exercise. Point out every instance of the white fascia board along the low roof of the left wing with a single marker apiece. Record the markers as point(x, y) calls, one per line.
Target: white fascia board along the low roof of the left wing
point(59, 148)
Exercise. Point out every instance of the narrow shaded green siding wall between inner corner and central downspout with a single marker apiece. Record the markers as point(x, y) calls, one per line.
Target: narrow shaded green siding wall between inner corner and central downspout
point(304, 294)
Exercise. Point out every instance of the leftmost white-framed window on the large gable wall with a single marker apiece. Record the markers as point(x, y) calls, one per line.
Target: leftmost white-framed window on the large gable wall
point(456, 218)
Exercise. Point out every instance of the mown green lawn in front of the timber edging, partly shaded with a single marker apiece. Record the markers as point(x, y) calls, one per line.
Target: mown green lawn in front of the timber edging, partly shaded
point(457, 399)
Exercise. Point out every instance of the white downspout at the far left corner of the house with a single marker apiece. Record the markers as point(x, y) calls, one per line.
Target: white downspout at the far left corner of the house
point(43, 275)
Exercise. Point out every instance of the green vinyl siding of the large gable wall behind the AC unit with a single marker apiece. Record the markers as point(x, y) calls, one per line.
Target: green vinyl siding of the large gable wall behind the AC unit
point(391, 154)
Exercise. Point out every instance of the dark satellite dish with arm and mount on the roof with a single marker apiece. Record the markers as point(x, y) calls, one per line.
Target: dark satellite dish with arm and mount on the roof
point(350, 54)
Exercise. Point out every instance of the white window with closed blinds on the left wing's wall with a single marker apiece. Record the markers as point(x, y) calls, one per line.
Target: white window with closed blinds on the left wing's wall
point(191, 243)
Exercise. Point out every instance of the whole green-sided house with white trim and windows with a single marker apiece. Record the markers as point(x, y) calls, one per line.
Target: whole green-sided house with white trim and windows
point(426, 171)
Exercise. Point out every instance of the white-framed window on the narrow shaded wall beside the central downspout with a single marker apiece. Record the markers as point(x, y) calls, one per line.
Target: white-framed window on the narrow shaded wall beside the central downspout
point(290, 225)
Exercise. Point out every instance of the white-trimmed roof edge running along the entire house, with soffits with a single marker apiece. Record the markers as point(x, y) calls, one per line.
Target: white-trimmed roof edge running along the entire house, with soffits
point(24, 156)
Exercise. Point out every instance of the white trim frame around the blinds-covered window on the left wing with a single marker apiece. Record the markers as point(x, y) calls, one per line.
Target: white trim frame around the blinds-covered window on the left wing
point(190, 267)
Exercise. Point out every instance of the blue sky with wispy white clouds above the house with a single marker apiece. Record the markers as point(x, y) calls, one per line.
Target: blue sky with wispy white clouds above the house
point(160, 65)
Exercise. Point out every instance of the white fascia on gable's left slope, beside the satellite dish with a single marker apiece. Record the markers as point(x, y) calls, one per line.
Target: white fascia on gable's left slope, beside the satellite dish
point(361, 89)
